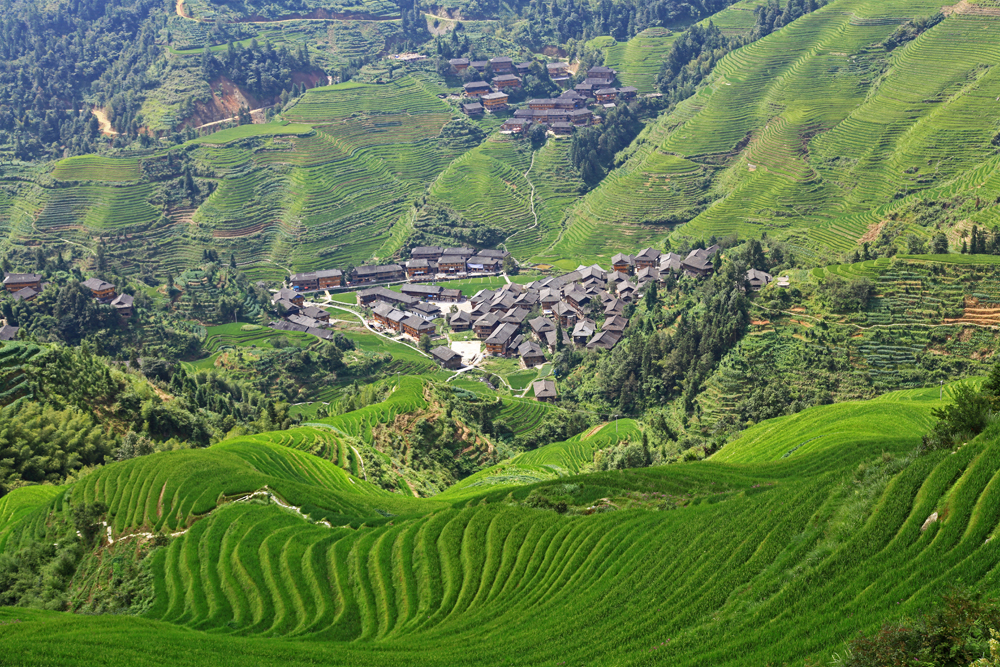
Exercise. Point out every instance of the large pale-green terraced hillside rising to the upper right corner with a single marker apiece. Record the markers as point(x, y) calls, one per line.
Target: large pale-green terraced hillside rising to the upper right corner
point(815, 133)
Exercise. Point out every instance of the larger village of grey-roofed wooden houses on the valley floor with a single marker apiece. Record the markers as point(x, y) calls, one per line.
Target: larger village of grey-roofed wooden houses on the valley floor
point(585, 309)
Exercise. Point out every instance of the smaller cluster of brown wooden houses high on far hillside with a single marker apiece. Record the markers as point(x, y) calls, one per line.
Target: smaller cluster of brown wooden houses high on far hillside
point(559, 115)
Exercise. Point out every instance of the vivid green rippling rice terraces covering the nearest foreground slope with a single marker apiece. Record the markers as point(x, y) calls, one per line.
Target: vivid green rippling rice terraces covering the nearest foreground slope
point(819, 544)
